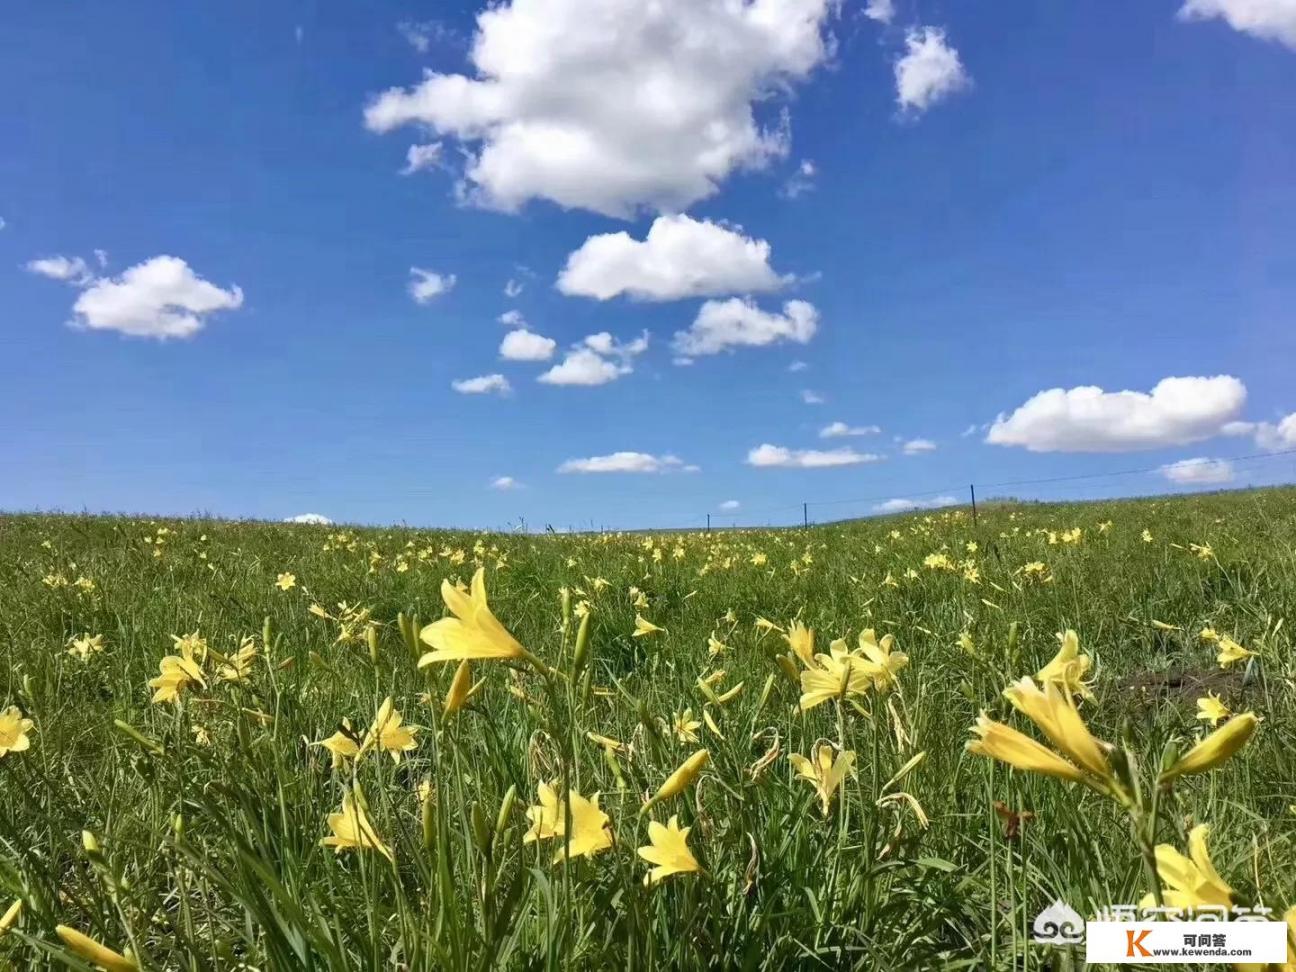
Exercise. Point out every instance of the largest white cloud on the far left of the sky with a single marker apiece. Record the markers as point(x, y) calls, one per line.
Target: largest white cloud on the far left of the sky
point(160, 297)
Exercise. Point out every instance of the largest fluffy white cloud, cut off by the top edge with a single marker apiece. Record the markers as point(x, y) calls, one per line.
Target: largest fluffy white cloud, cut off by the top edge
point(611, 106)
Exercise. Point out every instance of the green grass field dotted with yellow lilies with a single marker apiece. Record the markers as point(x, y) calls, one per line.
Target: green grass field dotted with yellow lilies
point(186, 833)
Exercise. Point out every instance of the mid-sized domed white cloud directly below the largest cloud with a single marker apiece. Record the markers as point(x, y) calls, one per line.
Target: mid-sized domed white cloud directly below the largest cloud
point(680, 257)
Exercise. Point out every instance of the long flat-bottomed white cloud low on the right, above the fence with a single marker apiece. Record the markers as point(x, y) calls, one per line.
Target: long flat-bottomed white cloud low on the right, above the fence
point(1087, 419)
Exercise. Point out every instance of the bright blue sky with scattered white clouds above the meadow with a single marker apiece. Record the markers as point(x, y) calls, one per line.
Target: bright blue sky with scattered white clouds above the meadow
point(1002, 199)
